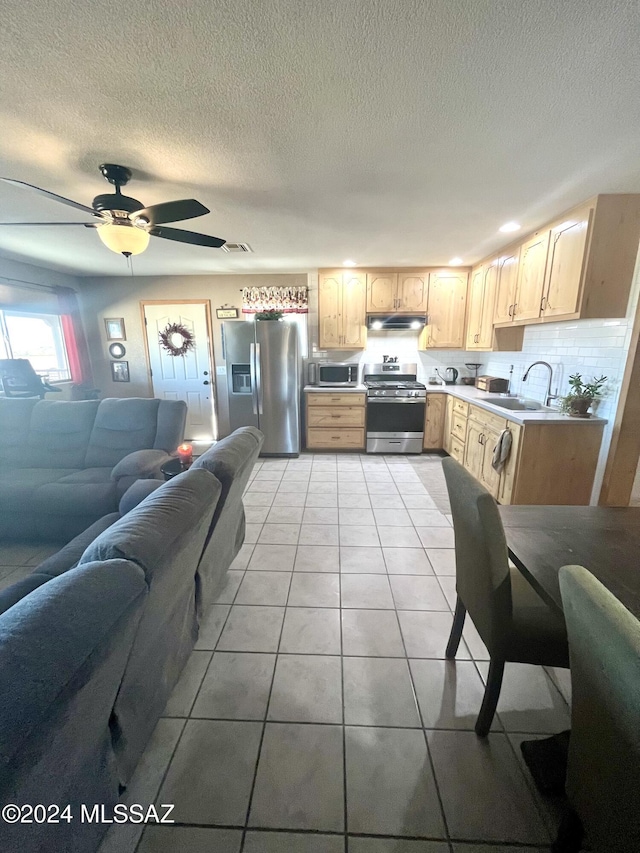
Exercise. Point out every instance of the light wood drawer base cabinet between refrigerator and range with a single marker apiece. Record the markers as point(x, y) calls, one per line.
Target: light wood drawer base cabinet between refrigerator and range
point(335, 421)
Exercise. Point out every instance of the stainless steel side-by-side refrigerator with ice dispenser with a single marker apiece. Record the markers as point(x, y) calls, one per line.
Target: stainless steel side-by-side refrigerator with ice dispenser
point(263, 381)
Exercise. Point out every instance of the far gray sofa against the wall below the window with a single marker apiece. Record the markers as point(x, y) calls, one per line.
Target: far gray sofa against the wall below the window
point(63, 465)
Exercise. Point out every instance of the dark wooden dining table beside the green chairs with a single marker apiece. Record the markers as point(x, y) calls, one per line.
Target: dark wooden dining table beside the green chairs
point(605, 540)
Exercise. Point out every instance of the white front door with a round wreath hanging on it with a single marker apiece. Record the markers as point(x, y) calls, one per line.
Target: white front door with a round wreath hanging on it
point(189, 377)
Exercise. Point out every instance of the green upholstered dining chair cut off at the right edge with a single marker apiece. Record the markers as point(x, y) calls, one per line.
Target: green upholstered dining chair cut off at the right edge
point(603, 771)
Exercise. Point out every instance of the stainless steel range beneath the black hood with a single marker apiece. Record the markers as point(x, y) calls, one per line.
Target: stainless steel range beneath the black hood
point(395, 408)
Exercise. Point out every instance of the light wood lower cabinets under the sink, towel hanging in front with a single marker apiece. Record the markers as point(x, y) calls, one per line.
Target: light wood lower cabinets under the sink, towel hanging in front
point(550, 463)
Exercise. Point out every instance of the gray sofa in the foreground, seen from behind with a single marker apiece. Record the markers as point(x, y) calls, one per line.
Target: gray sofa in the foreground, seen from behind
point(97, 636)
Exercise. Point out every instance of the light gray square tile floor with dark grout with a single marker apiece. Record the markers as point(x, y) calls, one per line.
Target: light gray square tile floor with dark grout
point(317, 713)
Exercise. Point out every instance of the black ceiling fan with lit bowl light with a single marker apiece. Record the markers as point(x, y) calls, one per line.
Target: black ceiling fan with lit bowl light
point(124, 224)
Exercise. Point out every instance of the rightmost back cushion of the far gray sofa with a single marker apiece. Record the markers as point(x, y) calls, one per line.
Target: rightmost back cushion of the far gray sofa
point(121, 426)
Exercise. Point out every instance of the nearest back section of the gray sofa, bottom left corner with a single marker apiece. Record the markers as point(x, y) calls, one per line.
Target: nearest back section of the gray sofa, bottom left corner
point(63, 651)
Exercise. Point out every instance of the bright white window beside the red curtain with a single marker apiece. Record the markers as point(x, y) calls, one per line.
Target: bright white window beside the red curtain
point(37, 337)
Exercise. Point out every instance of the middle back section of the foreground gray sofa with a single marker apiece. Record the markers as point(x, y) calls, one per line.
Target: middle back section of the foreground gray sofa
point(165, 536)
